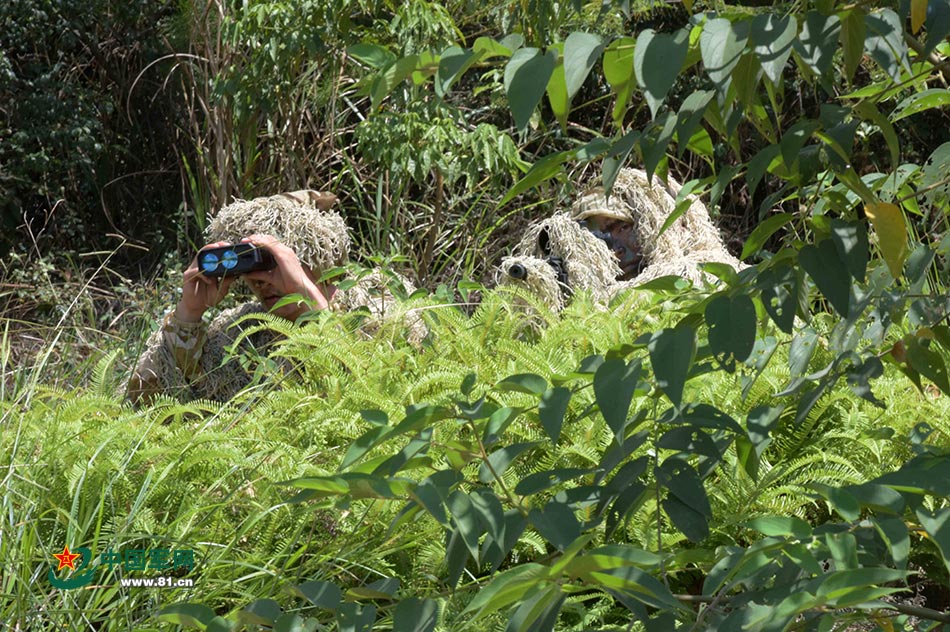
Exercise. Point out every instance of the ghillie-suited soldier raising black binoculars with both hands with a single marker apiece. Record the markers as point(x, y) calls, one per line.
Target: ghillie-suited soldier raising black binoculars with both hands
point(189, 359)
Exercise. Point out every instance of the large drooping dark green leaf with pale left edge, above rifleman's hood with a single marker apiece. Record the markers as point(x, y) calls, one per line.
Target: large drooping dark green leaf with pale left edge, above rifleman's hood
point(656, 61)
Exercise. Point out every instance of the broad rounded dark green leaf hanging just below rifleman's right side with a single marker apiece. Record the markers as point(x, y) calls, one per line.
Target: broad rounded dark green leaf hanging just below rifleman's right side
point(732, 322)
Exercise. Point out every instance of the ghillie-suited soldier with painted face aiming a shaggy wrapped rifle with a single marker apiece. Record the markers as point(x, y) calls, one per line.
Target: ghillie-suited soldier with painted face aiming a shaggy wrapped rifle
point(608, 244)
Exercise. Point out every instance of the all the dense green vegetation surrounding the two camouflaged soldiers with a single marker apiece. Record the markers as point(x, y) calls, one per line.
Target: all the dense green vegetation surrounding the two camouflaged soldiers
point(765, 453)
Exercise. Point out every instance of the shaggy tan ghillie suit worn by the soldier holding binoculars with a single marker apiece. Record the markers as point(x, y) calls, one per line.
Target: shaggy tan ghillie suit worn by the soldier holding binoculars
point(198, 361)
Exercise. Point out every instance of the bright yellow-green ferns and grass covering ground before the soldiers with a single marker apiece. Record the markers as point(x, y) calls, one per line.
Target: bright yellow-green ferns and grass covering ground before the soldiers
point(81, 467)
